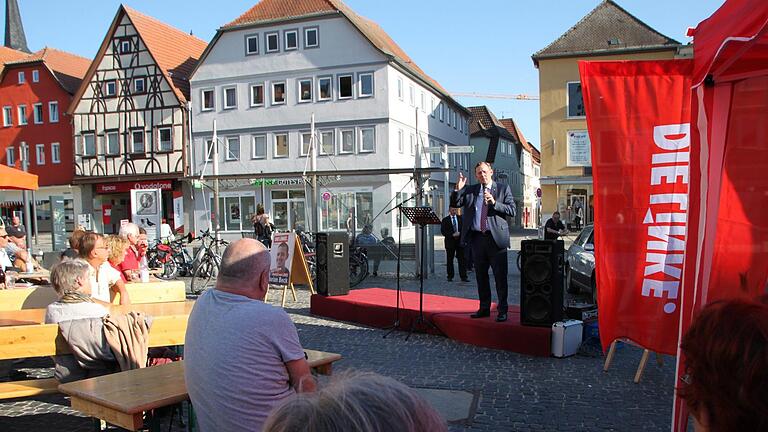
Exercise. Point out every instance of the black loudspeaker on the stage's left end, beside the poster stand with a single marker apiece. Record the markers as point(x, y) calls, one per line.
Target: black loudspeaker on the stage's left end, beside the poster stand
point(332, 254)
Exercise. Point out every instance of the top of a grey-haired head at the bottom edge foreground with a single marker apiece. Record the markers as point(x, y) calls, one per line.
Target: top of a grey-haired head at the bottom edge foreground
point(357, 402)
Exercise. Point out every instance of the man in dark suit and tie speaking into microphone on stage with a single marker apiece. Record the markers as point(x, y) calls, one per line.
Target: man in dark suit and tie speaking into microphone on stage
point(486, 206)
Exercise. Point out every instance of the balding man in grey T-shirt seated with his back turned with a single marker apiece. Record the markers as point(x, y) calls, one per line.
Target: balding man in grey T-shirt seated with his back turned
point(242, 356)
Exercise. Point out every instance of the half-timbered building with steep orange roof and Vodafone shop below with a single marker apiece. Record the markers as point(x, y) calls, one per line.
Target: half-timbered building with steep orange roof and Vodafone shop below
point(131, 117)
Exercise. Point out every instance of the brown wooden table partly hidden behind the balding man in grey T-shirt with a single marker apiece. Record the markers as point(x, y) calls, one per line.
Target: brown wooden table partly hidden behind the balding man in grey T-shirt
point(122, 398)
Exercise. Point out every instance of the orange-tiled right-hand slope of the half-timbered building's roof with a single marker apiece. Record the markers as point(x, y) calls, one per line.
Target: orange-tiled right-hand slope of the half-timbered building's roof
point(176, 52)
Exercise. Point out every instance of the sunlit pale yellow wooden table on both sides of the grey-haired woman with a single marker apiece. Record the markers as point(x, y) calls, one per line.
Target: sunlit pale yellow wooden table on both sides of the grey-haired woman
point(140, 293)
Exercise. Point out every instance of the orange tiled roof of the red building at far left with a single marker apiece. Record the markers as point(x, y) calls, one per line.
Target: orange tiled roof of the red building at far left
point(69, 69)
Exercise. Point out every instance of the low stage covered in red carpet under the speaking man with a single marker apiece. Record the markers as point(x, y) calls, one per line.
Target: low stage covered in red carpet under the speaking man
point(375, 307)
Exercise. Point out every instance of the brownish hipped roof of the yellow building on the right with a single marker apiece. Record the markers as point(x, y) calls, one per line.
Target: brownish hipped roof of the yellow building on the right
point(607, 28)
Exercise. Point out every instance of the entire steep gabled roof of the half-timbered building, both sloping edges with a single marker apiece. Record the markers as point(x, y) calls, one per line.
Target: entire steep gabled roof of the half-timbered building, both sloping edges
point(174, 51)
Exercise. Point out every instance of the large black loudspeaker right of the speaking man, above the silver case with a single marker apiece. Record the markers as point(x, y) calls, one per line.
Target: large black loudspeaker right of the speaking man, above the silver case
point(541, 284)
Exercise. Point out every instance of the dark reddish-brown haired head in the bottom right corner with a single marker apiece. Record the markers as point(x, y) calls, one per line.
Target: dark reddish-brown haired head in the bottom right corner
point(726, 363)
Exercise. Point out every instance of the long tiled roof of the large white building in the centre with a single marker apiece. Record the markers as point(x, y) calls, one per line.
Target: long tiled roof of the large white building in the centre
point(272, 11)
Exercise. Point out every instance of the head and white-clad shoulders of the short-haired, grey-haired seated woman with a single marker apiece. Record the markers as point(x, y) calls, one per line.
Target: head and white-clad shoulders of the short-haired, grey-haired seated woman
point(72, 282)
